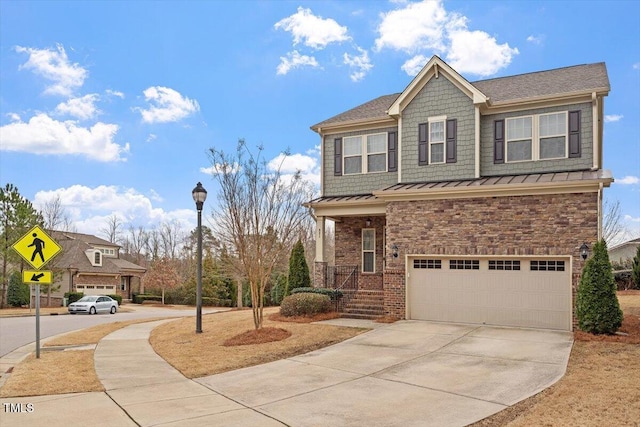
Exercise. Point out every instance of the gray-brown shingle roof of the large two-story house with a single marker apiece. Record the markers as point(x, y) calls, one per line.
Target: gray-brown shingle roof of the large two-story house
point(578, 78)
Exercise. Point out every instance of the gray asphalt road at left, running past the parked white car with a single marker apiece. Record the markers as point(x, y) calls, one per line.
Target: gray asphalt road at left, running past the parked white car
point(18, 331)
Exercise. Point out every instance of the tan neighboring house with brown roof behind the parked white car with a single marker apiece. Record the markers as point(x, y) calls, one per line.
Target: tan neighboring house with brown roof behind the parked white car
point(93, 266)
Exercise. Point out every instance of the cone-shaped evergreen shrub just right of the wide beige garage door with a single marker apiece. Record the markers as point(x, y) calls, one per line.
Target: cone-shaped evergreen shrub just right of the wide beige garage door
point(597, 306)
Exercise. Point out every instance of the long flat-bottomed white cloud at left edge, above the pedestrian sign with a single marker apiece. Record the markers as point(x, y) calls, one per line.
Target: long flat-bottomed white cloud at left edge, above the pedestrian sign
point(44, 135)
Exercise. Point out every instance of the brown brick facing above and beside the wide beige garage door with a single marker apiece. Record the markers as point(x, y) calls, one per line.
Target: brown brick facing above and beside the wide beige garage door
point(512, 225)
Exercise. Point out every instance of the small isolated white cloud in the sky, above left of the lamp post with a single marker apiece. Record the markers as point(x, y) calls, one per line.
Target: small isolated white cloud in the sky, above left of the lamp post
point(167, 105)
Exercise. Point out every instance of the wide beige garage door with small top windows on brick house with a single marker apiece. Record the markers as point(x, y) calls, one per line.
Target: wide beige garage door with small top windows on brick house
point(527, 292)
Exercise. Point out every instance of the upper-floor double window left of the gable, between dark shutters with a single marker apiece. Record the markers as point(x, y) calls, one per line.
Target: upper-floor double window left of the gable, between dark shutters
point(365, 153)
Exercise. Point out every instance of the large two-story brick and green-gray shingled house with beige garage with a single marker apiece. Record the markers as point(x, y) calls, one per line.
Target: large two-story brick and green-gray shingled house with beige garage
point(466, 202)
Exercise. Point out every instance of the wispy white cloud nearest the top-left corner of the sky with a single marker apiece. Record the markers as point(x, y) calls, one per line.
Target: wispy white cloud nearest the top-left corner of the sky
point(54, 65)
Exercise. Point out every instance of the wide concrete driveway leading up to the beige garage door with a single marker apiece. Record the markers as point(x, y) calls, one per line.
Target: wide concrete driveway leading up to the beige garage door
point(410, 373)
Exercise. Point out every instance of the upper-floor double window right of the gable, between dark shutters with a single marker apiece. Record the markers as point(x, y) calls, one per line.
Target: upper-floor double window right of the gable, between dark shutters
point(537, 137)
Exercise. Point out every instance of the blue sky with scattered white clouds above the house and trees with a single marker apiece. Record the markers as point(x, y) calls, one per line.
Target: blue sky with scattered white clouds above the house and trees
point(112, 105)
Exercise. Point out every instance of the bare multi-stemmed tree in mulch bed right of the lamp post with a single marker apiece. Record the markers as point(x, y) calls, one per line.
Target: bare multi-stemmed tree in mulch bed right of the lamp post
point(259, 214)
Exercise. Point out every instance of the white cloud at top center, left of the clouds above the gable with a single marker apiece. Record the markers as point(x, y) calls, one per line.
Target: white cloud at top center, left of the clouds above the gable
point(312, 31)
